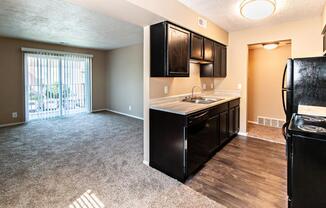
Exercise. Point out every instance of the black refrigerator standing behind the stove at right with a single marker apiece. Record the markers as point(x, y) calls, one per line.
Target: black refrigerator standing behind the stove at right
point(304, 83)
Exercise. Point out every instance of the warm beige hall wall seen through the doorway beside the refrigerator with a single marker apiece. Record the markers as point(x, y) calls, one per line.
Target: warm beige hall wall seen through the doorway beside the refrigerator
point(265, 73)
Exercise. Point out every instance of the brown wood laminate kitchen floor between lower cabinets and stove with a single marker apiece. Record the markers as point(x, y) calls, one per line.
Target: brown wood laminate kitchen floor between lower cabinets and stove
point(247, 172)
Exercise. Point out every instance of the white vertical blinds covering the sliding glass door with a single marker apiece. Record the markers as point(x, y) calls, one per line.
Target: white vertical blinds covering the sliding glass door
point(56, 83)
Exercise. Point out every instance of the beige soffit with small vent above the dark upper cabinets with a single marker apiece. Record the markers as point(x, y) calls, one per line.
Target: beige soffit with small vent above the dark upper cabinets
point(178, 13)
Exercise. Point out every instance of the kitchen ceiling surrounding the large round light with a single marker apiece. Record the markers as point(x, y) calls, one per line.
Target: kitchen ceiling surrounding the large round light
point(226, 13)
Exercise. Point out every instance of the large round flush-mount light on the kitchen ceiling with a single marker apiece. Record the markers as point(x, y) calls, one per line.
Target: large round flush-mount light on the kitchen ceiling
point(257, 9)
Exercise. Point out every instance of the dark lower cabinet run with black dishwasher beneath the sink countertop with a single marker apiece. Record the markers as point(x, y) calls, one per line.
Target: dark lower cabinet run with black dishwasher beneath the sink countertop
point(181, 144)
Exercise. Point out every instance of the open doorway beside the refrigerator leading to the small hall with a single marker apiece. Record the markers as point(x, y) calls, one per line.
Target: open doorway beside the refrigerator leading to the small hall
point(266, 65)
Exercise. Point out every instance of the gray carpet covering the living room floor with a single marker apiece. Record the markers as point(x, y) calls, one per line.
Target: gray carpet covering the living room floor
point(52, 163)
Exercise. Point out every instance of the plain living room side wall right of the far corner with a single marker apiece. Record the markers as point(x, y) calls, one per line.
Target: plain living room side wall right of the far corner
point(124, 77)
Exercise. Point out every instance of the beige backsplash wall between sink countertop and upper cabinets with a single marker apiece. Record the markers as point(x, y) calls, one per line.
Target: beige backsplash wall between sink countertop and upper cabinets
point(177, 86)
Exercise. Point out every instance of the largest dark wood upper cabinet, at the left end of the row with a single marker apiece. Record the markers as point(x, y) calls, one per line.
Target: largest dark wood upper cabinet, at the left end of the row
point(170, 50)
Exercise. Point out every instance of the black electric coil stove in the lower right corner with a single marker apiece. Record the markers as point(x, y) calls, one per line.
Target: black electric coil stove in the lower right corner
point(306, 154)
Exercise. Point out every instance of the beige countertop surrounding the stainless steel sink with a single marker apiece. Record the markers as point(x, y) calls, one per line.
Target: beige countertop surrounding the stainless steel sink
point(177, 106)
